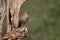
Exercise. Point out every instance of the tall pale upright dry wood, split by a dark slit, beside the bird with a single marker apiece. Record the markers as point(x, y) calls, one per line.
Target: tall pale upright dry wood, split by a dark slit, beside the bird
point(14, 6)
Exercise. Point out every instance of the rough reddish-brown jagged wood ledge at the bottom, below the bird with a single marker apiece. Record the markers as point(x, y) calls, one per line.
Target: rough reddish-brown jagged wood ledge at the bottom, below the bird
point(18, 33)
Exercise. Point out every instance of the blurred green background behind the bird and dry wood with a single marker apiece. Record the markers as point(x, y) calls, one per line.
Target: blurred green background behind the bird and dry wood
point(44, 19)
